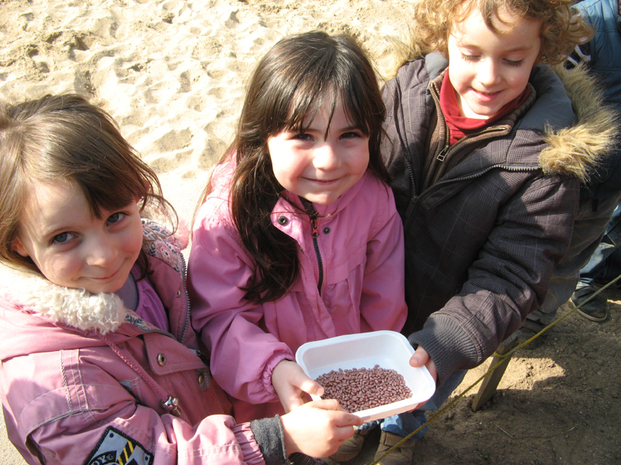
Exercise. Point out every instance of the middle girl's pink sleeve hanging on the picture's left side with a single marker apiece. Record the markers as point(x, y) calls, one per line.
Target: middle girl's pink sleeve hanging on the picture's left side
point(227, 323)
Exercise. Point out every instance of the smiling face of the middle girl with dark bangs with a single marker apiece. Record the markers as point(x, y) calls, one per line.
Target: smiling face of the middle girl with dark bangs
point(320, 164)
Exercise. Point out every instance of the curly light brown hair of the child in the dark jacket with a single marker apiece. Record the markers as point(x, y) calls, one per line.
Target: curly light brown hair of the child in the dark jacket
point(562, 26)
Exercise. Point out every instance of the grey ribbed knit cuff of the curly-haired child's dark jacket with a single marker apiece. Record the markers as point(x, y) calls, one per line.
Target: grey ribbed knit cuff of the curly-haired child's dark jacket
point(447, 344)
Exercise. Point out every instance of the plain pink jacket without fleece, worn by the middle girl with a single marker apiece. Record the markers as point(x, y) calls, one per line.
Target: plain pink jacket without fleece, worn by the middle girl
point(361, 252)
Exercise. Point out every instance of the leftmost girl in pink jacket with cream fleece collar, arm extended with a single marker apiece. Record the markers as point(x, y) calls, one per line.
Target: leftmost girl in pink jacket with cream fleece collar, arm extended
point(99, 361)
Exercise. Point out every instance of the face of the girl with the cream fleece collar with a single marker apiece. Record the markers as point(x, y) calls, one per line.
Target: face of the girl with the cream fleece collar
point(72, 248)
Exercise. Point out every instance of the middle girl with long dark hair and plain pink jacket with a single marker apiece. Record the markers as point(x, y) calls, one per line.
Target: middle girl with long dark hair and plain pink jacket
point(298, 238)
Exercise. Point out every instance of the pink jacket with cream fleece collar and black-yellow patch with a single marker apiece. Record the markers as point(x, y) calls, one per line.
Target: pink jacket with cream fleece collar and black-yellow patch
point(83, 379)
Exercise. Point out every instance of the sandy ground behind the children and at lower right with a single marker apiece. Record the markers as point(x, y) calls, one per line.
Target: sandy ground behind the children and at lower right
point(172, 73)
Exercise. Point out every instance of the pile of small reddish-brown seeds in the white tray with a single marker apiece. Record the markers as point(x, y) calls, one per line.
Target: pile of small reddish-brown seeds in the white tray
point(363, 388)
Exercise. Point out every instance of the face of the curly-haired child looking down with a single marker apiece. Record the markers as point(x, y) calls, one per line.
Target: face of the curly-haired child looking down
point(489, 70)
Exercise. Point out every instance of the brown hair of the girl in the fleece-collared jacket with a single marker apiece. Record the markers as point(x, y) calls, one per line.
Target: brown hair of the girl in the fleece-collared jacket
point(65, 138)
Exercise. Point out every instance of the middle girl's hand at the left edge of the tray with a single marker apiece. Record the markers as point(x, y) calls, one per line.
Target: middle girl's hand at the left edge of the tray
point(291, 384)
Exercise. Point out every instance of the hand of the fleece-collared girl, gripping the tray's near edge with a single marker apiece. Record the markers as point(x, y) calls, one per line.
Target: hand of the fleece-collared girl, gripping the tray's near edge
point(318, 428)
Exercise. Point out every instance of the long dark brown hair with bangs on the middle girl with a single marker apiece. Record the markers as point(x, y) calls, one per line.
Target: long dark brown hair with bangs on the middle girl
point(290, 83)
